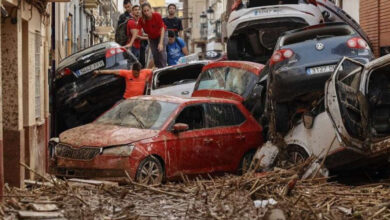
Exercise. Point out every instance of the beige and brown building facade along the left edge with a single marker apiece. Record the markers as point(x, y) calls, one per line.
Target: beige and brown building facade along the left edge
point(25, 44)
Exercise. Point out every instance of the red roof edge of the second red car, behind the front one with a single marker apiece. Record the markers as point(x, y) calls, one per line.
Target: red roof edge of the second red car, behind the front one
point(255, 68)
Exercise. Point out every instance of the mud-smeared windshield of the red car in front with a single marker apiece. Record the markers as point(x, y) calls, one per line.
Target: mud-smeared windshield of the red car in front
point(138, 113)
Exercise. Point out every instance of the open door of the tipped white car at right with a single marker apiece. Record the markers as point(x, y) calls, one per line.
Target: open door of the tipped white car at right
point(346, 104)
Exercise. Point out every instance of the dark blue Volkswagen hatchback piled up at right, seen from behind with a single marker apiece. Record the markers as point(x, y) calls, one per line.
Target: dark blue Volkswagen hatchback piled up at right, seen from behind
point(302, 62)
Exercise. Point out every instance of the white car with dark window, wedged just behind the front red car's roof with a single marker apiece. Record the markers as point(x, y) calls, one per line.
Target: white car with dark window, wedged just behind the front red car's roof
point(178, 80)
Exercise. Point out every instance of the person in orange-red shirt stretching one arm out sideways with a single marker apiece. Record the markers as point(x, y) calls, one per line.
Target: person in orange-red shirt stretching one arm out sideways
point(136, 79)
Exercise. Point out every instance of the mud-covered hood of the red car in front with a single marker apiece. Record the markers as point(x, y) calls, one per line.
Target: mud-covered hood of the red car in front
point(100, 135)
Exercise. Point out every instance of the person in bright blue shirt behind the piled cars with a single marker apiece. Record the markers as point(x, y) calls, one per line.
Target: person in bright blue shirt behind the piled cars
point(176, 48)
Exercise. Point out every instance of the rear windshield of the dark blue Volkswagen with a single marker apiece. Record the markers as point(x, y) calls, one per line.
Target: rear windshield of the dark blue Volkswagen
point(317, 33)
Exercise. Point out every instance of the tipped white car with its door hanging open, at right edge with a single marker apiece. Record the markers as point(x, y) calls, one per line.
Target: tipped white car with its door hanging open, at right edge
point(354, 131)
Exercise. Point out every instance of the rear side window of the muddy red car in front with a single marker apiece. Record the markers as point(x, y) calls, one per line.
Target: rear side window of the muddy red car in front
point(223, 115)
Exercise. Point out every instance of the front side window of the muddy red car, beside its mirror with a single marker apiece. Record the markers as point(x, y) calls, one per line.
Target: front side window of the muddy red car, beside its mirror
point(193, 116)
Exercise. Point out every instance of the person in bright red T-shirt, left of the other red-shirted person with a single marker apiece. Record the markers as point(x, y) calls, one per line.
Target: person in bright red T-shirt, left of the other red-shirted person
point(134, 32)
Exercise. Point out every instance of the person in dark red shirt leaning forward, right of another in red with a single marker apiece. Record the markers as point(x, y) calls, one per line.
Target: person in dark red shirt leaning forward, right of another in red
point(153, 25)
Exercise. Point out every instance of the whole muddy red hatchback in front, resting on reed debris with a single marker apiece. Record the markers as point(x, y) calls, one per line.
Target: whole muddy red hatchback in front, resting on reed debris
point(155, 138)
